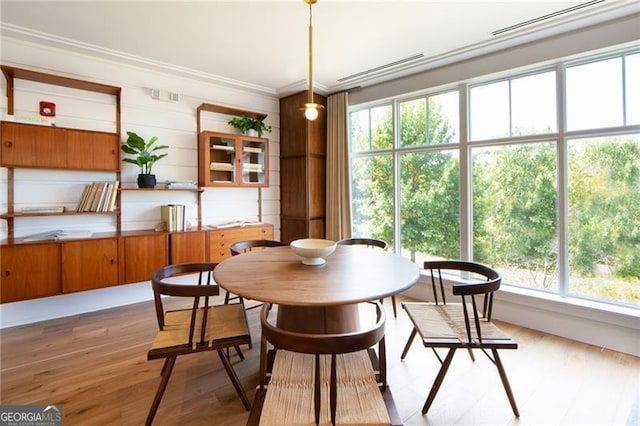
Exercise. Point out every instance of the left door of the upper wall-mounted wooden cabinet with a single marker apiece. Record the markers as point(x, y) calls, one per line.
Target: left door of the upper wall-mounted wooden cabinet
point(28, 145)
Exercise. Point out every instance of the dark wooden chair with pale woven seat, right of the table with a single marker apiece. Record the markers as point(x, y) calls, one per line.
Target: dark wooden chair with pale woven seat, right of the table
point(461, 325)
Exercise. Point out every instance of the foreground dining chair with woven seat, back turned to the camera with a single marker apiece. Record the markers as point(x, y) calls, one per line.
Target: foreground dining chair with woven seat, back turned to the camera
point(295, 376)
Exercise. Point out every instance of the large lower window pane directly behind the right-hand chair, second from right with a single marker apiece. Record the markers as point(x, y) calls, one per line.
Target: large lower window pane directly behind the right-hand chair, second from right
point(515, 226)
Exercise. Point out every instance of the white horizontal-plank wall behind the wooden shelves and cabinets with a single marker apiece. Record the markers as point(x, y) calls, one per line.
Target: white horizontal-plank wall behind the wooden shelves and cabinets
point(173, 123)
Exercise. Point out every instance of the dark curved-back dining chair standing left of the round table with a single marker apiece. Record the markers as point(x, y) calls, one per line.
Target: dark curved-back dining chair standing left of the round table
point(202, 327)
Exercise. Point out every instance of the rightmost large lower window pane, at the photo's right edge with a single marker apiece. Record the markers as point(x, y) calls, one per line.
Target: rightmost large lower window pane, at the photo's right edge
point(604, 217)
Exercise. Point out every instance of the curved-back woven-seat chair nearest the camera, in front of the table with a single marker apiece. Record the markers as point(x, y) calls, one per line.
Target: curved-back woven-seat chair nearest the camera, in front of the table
point(349, 359)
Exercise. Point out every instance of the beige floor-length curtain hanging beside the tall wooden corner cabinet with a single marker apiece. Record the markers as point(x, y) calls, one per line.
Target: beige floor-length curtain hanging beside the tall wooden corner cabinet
point(338, 213)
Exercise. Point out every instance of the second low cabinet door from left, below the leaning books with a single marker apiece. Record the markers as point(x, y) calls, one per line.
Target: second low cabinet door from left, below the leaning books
point(89, 264)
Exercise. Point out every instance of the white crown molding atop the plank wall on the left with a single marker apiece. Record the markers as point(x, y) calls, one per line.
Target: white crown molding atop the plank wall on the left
point(42, 38)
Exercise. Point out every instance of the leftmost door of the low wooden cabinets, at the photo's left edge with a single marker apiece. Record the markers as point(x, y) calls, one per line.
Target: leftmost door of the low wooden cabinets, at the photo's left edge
point(29, 271)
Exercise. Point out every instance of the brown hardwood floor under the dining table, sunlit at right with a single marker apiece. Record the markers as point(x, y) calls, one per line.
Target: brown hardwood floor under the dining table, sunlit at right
point(95, 366)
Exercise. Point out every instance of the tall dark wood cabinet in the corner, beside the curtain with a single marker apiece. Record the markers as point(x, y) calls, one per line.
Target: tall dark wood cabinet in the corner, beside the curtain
point(302, 170)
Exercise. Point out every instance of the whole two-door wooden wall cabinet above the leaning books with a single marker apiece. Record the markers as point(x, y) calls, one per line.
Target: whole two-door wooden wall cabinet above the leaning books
point(29, 145)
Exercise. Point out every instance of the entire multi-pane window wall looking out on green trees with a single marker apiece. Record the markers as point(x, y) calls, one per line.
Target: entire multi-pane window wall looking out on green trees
point(544, 185)
